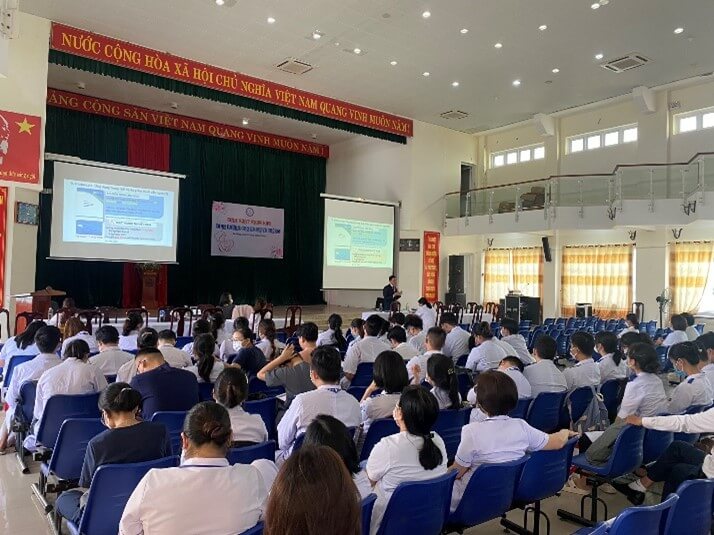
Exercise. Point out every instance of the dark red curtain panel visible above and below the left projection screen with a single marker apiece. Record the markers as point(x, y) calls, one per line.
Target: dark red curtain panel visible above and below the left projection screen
point(147, 150)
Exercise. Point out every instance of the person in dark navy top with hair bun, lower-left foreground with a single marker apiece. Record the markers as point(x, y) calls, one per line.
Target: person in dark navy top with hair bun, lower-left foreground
point(128, 439)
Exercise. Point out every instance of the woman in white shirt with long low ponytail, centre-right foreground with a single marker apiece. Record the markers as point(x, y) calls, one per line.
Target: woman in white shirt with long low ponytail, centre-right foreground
point(416, 453)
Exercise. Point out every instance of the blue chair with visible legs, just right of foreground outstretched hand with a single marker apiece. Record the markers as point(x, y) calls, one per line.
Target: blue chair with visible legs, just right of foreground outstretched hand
point(625, 457)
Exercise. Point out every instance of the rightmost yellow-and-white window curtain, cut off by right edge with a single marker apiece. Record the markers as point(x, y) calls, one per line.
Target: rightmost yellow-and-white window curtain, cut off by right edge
point(689, 265)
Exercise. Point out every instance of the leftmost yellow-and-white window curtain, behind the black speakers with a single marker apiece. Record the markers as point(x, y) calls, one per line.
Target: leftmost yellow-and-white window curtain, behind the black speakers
point(512, 269)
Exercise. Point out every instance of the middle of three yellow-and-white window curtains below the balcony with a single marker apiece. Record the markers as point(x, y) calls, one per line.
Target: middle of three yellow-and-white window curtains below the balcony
point(601, 275)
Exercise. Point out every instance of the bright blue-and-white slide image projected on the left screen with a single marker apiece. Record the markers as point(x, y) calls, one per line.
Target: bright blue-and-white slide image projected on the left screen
point(117, 214)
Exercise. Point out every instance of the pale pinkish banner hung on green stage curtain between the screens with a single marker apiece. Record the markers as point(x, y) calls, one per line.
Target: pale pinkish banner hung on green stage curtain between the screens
point(246, 230)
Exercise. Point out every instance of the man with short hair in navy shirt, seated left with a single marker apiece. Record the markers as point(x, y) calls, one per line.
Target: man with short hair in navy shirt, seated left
point(162, 387)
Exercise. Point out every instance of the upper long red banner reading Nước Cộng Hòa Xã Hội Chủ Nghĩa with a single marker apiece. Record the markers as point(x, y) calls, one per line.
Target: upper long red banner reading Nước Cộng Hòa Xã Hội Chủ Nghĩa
point(123, 54)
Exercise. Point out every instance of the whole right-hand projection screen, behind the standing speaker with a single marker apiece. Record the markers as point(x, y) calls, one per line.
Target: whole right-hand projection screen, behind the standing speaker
point(359, 245)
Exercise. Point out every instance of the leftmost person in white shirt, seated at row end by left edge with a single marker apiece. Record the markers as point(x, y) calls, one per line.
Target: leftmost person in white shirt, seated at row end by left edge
point(48, 342)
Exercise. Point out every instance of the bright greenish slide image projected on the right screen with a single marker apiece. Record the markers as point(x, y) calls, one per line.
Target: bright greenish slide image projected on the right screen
point(359, 244)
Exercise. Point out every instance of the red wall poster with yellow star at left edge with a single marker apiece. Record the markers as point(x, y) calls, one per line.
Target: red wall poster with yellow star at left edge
point(20, 136)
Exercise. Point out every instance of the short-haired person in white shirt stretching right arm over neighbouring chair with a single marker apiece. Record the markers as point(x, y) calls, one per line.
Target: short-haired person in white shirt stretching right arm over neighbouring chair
point(498, 438)
